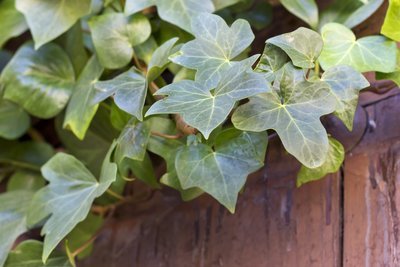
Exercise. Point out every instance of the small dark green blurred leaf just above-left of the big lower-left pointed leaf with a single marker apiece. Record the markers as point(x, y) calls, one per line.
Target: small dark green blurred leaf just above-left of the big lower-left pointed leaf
point(22, 180)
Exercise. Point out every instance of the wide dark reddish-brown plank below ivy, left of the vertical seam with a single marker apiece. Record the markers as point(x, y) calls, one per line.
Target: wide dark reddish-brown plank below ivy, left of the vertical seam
point(275, 225)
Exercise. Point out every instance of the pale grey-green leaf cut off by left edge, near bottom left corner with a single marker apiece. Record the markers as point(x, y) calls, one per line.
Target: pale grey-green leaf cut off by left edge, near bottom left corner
point(13, 208)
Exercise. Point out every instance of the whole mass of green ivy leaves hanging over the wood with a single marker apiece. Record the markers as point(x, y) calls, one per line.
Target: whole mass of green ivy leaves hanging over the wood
point(91, 65)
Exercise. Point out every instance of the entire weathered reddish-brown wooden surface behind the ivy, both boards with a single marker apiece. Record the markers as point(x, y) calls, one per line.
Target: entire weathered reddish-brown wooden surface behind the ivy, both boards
point(350, 218)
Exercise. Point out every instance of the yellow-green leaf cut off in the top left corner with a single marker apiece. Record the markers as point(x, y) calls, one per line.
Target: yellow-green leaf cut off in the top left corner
point(12, 22)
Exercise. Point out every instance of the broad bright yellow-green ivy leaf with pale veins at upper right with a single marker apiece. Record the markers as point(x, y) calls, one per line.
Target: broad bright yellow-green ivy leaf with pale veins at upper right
point(372, 53)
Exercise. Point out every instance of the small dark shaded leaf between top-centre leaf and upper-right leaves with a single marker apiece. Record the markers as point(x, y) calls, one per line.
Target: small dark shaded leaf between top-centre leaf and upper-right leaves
point(272, 59)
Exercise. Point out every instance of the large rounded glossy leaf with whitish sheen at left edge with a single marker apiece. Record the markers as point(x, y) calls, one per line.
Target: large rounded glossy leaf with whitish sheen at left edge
point(40, 81)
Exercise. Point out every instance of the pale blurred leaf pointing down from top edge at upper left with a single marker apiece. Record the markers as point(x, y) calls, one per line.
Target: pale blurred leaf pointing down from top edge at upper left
point(48, 19)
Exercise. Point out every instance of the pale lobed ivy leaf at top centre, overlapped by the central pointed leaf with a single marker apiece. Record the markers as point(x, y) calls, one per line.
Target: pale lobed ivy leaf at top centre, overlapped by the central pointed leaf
point(215, 46)
